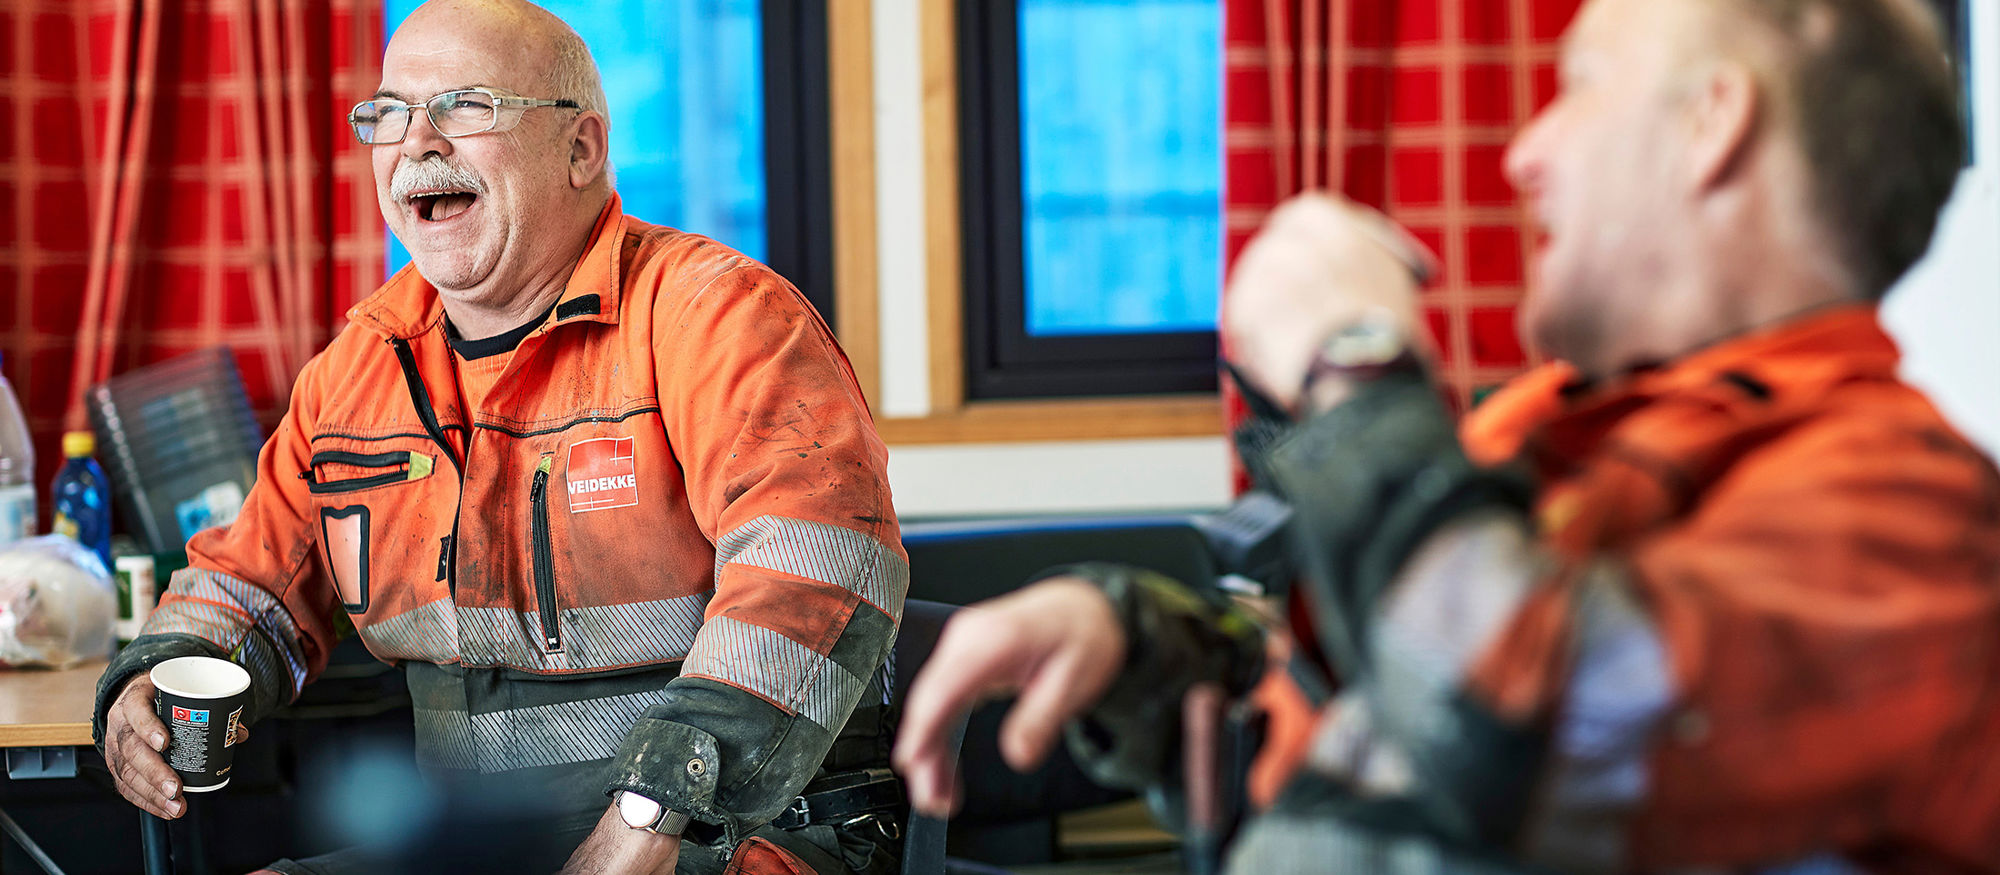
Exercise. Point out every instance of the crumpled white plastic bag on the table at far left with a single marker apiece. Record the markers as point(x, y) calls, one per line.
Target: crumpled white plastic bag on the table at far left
point(57, 604)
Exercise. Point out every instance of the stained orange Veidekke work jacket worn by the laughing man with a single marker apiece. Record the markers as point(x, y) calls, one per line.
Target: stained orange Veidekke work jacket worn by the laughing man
point(671, 504)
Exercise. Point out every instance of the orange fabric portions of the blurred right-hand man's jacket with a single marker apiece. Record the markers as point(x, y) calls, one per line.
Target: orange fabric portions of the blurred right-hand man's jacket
point(1819, 552)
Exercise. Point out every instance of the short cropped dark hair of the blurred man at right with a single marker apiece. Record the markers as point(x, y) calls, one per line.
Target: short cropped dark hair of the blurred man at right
point(1875, 107)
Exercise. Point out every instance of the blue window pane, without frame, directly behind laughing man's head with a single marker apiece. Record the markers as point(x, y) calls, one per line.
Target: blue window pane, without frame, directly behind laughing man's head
point(685, 83)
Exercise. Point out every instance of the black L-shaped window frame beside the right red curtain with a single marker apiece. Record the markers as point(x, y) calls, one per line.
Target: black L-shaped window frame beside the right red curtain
point(1003, 361)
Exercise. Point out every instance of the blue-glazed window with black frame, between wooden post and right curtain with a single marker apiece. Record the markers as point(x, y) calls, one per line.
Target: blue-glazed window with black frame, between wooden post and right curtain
point(1093, 195)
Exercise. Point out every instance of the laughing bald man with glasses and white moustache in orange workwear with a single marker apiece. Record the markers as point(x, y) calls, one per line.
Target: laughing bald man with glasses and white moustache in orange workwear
point(607, 492)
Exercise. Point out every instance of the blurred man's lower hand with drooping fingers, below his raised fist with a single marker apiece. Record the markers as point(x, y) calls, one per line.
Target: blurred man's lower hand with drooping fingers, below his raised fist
point(1057, 644)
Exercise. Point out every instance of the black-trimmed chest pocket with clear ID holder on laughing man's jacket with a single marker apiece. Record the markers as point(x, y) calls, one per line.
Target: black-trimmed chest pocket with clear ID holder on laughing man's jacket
point(351, 494)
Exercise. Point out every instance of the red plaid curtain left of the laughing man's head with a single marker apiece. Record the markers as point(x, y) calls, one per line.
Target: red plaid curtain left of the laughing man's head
point(179, 177)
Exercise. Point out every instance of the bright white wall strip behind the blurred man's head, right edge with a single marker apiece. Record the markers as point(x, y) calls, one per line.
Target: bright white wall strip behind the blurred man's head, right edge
point(1947, 313)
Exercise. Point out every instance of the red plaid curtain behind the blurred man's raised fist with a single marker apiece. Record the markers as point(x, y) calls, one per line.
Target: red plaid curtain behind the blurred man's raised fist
point(1405, 105)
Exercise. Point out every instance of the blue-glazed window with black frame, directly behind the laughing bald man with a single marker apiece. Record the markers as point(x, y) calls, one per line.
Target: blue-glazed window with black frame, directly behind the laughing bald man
point(715, 125)
